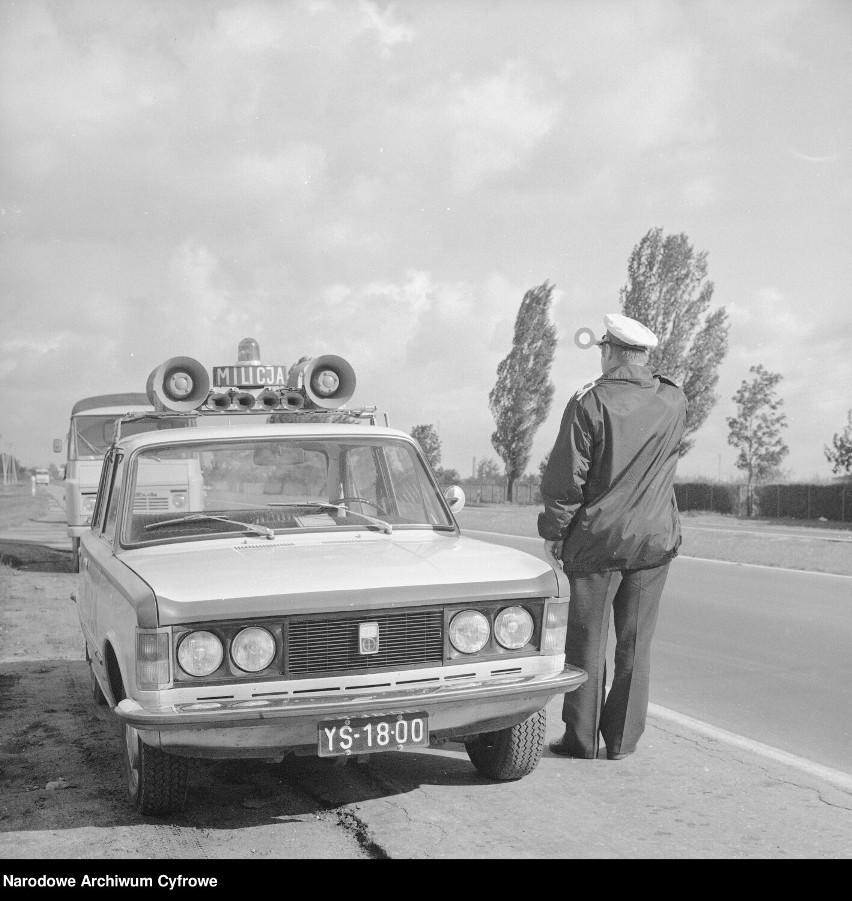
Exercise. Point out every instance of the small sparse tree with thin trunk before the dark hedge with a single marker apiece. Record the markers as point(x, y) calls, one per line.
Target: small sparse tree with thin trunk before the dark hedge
point(756, 429)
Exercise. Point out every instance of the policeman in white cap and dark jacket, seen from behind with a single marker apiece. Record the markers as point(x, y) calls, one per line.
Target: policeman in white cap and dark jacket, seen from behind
point(610, 516)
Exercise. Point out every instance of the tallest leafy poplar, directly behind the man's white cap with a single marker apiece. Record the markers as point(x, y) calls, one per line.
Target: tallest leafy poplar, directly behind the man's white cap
point(666, 290)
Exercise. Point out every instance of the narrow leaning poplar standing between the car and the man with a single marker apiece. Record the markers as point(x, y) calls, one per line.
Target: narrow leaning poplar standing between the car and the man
point(520, 400)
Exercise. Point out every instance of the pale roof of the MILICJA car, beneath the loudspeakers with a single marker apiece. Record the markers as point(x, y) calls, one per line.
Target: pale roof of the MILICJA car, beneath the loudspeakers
point(234, 431)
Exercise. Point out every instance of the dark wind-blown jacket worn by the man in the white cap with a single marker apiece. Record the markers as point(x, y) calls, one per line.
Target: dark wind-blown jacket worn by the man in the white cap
point(608, 488)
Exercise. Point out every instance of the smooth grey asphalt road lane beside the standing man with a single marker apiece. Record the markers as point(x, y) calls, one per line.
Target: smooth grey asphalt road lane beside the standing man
point(755, 650)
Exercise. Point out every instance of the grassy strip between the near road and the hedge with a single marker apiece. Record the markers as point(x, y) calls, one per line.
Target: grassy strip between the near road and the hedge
point(737, 545)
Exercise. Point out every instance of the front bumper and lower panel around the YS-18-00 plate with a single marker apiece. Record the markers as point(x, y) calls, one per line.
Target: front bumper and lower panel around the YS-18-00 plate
point(264, 727)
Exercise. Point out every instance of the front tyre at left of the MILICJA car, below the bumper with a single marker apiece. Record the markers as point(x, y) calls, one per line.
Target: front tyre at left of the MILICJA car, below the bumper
point(156, 781)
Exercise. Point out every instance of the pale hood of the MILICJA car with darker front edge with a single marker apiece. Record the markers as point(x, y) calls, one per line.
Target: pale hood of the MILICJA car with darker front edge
point(312, 573)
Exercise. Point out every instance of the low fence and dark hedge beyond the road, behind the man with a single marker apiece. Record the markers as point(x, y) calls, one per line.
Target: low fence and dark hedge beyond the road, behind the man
point(785, 501)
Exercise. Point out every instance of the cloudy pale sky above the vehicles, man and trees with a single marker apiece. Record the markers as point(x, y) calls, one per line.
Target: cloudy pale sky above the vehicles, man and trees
point(384, 181)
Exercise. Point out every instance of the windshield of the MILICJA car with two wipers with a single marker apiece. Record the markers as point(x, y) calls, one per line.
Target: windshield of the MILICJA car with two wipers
point(266, 486)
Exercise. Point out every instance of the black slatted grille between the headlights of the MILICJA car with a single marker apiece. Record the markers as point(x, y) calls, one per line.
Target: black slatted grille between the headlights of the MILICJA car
point(406, 639)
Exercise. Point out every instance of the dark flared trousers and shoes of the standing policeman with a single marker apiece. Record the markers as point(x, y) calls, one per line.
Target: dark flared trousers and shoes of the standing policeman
point(620, 715)
